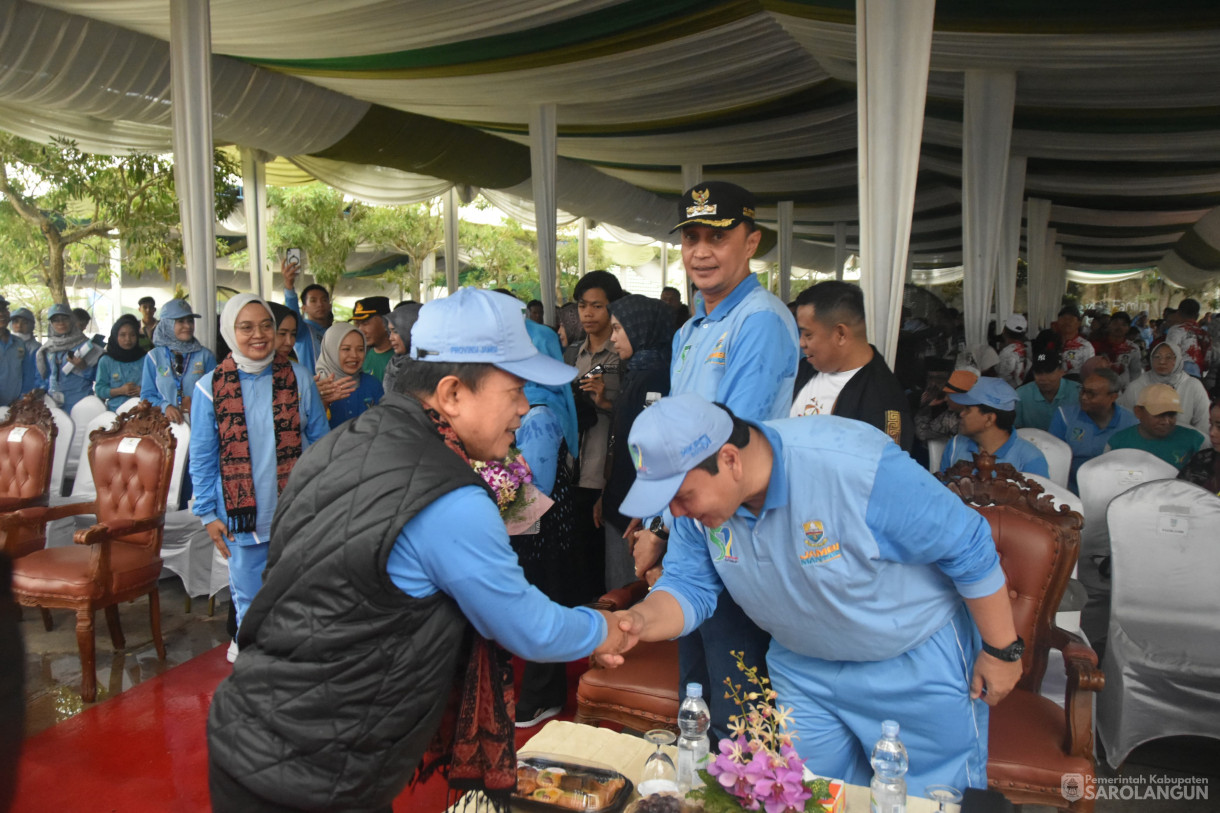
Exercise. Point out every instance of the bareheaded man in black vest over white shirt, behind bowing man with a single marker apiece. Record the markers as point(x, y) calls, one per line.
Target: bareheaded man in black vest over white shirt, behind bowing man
point(850, 377)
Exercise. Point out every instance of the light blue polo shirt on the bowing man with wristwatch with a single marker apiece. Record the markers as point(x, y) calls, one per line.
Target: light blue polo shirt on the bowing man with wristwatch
point(857, 555)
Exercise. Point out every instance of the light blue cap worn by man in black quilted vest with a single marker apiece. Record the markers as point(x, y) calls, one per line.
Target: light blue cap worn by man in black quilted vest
point(487, 328)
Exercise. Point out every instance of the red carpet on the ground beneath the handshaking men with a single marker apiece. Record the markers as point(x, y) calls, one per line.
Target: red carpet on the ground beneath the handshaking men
point(146, 751)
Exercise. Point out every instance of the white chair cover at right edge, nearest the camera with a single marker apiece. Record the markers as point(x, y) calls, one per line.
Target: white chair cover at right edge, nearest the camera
point(1163, 660)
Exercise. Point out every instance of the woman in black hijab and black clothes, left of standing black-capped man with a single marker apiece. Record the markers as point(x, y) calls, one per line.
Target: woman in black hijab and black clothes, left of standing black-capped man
point(642, 330)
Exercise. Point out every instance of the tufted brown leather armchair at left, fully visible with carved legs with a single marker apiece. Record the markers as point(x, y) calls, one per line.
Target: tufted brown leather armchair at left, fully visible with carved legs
point(118, 560)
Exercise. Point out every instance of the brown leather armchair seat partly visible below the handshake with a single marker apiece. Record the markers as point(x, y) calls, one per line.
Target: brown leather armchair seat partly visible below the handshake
point(644, 693)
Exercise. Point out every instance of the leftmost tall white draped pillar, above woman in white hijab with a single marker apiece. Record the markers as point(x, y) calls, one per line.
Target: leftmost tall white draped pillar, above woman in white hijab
point(191, 64)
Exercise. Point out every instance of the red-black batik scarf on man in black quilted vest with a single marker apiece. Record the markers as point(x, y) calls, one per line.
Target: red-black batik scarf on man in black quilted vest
point(475, 748)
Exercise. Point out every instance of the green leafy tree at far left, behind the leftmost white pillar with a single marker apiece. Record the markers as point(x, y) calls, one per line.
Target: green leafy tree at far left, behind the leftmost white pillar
point(77, 203)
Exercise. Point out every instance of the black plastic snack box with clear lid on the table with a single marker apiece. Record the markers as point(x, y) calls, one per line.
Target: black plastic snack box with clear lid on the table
point(552, 784)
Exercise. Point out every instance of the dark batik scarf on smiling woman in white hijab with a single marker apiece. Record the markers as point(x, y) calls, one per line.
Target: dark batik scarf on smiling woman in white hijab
point(237, 472)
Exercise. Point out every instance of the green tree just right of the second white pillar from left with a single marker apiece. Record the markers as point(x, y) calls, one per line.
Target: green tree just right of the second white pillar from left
point(321, 223)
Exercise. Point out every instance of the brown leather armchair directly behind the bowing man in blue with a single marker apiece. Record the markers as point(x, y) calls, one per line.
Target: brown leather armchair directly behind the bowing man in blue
point(1033, 742)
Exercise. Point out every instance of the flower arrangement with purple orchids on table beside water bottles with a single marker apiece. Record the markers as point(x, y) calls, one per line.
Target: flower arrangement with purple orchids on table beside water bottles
point(757, 767)
